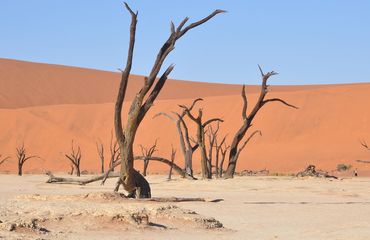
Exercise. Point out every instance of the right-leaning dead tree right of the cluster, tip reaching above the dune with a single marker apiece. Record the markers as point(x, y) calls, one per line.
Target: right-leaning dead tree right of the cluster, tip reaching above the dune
point(235, 150)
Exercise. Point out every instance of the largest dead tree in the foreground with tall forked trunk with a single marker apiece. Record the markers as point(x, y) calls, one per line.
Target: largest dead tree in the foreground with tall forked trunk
point(133, 182)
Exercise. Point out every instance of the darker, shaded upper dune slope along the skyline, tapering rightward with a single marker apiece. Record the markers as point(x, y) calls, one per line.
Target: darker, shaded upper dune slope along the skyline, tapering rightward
point(26, 84)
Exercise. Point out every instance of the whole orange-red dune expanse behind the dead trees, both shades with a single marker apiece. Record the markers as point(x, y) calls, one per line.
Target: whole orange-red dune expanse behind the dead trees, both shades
point(47, 106)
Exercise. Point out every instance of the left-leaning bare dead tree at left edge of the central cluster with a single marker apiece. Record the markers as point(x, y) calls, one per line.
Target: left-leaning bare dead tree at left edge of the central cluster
point(187, 148)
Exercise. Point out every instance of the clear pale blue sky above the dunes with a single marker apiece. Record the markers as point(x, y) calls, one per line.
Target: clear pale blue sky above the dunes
point(307, 42)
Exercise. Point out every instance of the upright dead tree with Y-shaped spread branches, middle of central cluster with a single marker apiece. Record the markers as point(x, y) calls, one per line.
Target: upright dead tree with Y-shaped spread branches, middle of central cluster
point(201, 138)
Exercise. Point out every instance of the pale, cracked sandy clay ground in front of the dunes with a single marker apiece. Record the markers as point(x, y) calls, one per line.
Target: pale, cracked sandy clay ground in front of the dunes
point(252, 208)
